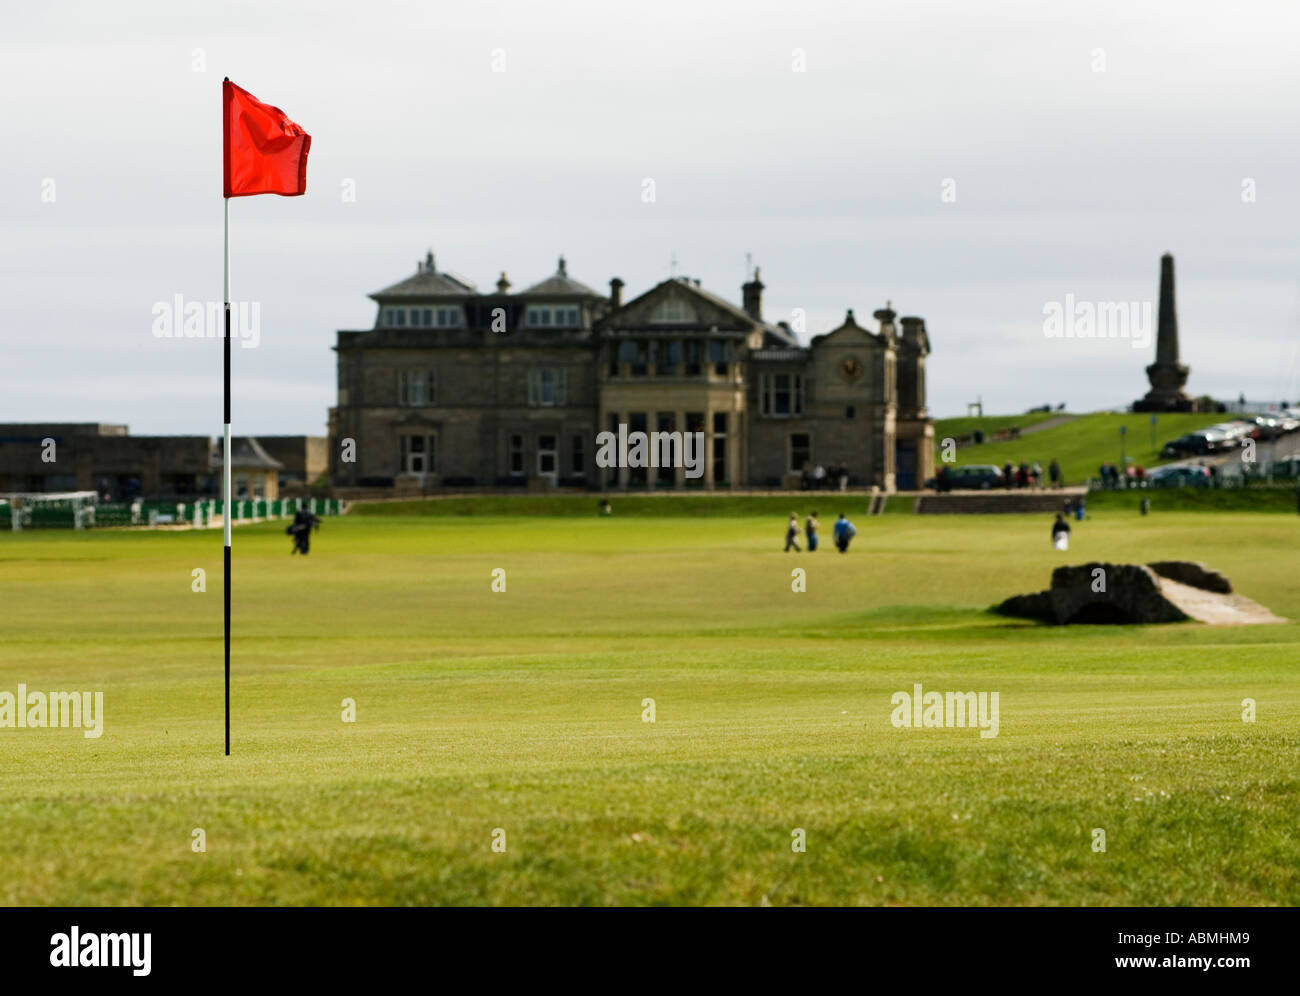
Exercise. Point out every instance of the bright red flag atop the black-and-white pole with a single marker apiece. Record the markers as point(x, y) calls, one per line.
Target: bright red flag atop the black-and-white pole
point(265, 151)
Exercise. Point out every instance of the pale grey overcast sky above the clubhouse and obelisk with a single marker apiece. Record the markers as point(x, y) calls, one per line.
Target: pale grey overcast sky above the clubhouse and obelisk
point(1082, 140)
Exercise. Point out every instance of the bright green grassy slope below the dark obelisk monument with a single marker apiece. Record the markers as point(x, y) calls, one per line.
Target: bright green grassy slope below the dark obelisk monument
point(1081, 445)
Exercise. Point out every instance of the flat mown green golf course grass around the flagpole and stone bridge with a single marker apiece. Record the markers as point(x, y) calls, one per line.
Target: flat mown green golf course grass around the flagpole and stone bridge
point(517, 717)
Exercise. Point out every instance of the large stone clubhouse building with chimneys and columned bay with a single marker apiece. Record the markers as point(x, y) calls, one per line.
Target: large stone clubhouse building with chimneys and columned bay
point(458, 388)
